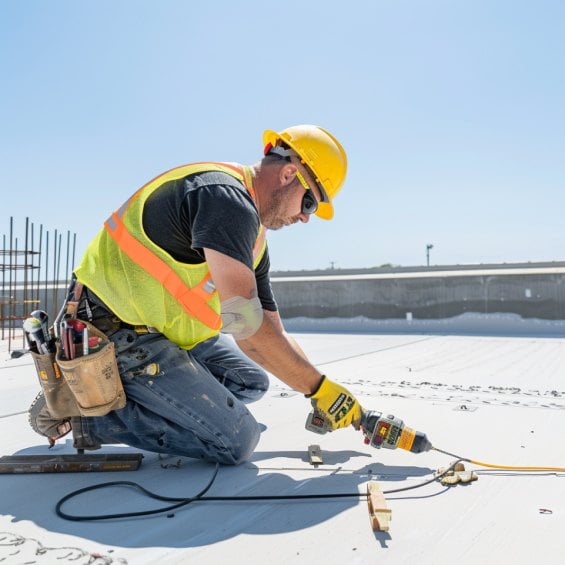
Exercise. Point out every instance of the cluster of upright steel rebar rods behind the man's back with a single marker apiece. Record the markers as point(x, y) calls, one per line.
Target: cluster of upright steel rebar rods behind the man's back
point(31, 277)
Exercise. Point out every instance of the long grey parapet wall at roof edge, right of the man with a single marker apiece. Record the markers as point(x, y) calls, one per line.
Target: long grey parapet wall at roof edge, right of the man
point(529, 293)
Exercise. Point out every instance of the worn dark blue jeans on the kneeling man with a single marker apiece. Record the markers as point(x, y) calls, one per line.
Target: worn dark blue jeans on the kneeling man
point(194, 405)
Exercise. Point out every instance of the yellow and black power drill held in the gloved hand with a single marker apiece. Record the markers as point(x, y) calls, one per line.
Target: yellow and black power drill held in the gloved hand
point(379, 431)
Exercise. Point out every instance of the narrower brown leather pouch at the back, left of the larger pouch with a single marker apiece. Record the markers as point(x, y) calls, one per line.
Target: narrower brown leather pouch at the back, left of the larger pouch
point(58, 396)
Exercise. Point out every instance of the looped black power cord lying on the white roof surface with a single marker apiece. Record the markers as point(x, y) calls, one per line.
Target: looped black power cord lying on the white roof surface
point(201, 498)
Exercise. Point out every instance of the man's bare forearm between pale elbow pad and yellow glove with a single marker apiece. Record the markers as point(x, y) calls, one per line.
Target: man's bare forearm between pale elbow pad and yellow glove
point(279, 354)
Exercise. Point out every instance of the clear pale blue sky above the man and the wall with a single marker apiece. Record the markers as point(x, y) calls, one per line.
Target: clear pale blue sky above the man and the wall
point(452, 114)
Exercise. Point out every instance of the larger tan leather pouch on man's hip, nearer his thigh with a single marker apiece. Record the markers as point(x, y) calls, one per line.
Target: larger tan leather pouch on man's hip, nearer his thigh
point(94, 379)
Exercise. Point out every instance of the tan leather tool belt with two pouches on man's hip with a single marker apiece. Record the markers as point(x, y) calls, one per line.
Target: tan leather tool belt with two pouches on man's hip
point(79, 376)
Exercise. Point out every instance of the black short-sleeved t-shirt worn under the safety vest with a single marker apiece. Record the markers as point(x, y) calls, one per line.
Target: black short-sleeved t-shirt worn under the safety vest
point(210, 210)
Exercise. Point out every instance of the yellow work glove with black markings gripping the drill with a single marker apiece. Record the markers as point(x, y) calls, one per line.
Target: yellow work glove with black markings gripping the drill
point(336, 404)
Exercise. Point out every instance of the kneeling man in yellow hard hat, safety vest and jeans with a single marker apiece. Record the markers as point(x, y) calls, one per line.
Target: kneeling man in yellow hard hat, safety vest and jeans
point(178, 279)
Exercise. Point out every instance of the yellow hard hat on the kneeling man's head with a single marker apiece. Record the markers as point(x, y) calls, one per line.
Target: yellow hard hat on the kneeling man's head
point(321, 152)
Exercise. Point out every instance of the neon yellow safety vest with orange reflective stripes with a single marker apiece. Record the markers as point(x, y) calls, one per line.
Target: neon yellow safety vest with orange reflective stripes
point(142, 284)
